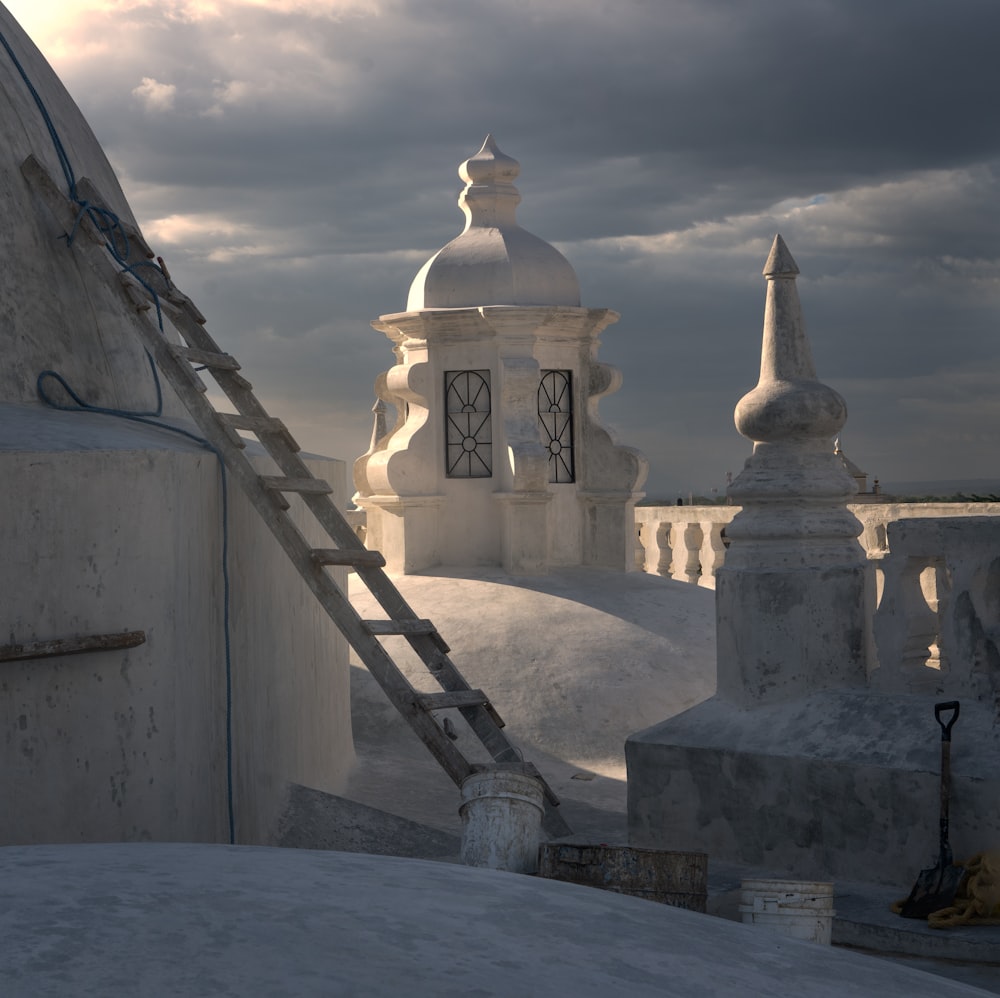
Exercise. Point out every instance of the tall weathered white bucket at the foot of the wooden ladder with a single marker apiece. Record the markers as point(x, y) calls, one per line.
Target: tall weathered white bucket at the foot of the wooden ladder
point(501, 820)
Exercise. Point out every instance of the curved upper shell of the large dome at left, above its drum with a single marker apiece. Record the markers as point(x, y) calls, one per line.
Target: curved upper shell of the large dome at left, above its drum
point(58, 314)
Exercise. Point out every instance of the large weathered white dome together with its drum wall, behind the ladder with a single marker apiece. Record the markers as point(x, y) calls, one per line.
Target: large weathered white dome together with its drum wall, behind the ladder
point(107, 525)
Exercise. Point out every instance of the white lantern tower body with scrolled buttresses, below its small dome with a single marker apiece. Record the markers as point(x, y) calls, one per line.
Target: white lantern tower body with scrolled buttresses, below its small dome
point(418, 516)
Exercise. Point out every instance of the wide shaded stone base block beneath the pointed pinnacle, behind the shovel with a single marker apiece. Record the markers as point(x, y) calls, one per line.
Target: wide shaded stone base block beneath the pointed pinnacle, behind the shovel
point(838, 785)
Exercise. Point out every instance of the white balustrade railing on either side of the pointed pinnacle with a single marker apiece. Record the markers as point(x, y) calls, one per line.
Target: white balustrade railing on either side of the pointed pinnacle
point(936, 576)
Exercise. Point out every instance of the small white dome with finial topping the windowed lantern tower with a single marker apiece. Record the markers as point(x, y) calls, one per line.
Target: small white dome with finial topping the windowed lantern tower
point(494, 261)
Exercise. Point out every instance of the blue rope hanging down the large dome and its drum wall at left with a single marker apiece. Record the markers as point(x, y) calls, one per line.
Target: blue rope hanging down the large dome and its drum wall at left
point(118, 245)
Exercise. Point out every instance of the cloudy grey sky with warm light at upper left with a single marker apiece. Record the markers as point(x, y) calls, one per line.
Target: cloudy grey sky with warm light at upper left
point(294, 161)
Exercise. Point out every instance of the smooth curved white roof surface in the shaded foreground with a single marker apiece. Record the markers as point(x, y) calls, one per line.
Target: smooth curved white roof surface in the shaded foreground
point(187, 919)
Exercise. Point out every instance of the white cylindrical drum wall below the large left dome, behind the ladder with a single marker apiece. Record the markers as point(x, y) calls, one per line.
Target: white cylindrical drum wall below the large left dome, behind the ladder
point(107, 526)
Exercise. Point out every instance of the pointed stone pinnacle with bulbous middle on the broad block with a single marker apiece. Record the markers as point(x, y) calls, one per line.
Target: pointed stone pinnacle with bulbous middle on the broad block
point(791, 598)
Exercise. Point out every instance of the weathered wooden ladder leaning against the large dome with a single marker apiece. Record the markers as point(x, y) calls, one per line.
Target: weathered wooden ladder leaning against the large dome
point(180, 365)
